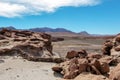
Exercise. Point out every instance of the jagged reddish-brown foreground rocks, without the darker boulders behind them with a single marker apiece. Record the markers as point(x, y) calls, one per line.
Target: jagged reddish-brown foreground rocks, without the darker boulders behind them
point(75, 66)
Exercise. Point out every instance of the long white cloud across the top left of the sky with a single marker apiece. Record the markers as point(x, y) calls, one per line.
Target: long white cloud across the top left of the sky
point(15, 8)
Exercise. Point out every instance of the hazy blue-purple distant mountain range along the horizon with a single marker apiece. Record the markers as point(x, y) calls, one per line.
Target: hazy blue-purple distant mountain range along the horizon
point(54, 31)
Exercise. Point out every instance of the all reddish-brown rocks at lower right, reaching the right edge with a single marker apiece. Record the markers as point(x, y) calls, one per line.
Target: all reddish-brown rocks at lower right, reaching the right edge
point(98, 65)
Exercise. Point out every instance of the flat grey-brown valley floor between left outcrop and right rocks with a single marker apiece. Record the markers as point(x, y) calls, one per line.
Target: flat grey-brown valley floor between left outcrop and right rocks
point(63, 47)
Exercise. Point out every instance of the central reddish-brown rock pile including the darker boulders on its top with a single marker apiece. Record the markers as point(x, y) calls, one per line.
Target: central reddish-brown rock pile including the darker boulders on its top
point(77, 63)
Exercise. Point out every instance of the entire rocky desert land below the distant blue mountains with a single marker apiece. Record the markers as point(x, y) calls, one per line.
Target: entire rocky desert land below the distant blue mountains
point(28, 55)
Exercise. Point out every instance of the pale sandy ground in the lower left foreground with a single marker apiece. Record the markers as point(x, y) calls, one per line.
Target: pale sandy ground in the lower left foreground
point(20, 69)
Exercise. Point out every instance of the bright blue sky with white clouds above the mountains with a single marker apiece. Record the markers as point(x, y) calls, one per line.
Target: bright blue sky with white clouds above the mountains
point(93, 16)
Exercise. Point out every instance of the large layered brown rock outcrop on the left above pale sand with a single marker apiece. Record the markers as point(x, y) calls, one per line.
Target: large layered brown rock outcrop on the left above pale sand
point(30, 45)
